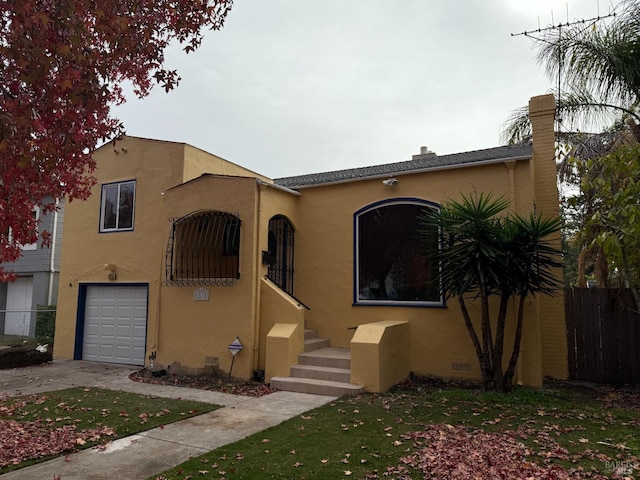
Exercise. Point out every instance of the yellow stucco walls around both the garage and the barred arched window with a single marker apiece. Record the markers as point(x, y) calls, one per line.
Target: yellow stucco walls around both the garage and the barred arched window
point(139, 255)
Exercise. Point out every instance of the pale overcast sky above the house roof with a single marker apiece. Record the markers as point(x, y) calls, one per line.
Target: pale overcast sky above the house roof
point(299, 86)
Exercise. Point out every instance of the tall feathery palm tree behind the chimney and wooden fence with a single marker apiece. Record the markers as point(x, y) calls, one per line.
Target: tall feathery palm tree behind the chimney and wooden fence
point(599, 67)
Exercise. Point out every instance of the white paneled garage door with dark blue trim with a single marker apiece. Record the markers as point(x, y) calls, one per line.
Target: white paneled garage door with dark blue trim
point(115, 324)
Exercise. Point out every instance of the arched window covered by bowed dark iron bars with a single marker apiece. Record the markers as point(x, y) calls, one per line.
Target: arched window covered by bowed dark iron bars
point(204, 249)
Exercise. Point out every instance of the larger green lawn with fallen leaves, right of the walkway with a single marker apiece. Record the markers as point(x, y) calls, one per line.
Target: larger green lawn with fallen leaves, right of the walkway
point(365, 436)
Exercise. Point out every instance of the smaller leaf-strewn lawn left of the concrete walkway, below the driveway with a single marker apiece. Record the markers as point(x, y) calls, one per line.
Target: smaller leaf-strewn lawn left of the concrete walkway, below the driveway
point(35, 428)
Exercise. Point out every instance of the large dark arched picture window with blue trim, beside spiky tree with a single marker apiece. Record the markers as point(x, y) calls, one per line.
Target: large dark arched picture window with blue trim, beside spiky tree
point(391, 267)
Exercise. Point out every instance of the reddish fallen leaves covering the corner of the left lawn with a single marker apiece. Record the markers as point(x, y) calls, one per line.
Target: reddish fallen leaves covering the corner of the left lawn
point(20, 441)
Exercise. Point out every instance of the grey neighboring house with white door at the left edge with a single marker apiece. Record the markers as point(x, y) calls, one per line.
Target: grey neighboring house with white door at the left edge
point(36, 280)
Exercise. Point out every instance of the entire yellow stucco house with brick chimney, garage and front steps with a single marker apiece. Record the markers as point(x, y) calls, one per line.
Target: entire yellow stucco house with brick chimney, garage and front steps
point(184, 261)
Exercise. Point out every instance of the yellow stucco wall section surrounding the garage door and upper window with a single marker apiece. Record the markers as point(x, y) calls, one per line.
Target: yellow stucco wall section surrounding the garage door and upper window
point(136, 254)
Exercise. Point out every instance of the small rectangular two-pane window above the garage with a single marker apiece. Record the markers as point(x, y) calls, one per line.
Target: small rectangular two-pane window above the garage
point(118, 204)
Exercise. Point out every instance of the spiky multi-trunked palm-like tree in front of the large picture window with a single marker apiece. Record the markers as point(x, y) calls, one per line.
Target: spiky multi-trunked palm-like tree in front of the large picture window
point(485, 253)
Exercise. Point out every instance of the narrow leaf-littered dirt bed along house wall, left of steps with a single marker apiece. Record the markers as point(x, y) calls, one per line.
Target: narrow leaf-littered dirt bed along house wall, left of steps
point(232, 386)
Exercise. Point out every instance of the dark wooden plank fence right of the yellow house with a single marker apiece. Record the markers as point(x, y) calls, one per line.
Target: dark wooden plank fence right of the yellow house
point(603, 336)
